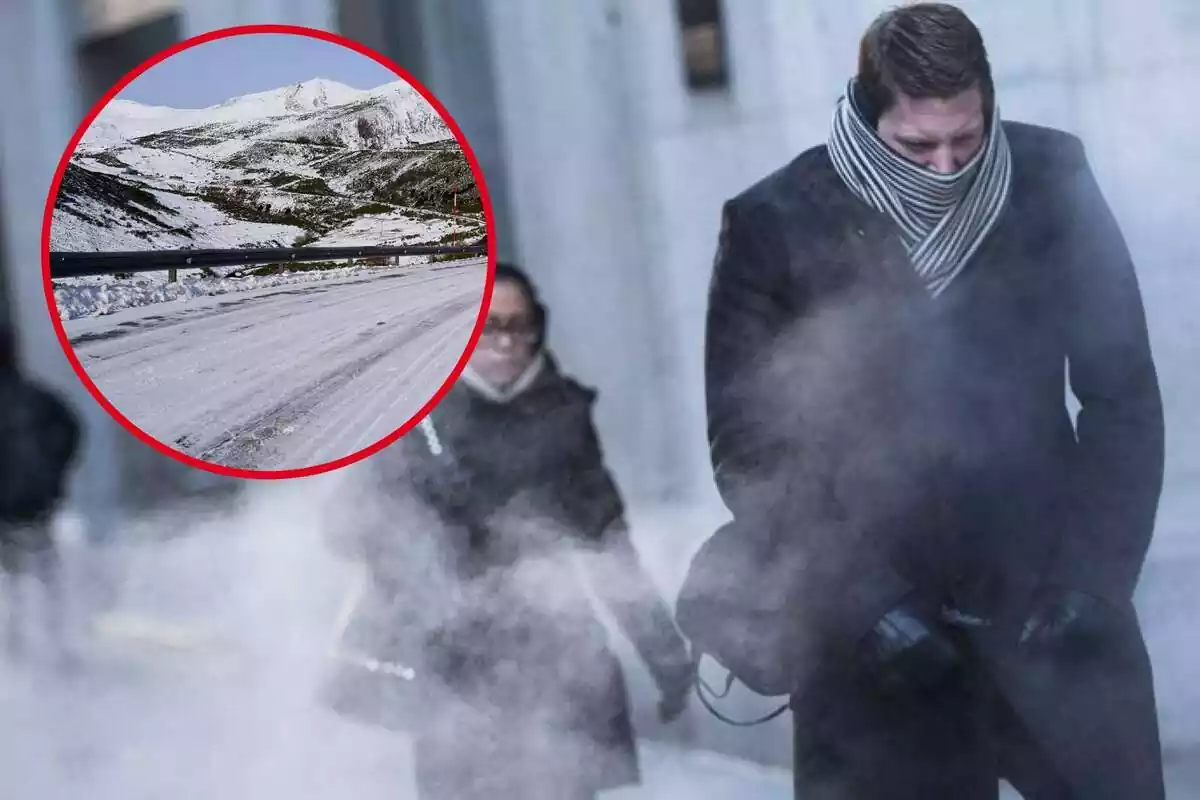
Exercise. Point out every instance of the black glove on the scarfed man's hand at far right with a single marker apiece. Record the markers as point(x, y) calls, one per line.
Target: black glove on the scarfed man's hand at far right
point(1066, 622)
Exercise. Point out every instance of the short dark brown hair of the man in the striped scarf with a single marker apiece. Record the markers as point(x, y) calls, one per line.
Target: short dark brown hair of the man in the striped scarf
point(923, 51)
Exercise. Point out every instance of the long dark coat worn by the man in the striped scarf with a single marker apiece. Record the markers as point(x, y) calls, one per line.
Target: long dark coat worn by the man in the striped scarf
point(874, 442)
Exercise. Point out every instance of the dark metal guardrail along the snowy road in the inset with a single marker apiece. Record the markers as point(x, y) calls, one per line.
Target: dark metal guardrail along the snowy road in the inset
point(70, 264)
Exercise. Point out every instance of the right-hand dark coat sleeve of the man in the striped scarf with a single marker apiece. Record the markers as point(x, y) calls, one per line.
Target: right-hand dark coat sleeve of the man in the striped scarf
point(1117, 476)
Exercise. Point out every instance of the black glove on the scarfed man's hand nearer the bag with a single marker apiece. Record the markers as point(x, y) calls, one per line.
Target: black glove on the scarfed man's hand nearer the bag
point(904, 654)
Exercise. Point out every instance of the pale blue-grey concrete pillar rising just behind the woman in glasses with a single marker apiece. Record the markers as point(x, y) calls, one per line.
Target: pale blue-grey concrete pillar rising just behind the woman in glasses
point(563, 99)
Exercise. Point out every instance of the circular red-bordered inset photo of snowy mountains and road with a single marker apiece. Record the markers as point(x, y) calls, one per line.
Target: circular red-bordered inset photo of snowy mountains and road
point(267, 251)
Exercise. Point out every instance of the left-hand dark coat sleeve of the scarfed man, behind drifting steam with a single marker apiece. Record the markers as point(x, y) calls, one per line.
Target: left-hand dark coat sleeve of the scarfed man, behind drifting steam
point(773, 462)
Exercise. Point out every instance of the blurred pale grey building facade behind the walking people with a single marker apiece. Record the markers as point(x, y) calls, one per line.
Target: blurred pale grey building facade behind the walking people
point(610, 133)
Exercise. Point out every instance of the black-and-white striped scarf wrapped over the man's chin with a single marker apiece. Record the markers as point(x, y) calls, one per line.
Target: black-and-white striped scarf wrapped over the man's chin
point(944, 219)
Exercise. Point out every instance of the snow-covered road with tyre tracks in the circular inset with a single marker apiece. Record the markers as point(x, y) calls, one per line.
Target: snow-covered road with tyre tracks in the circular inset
point(286, 378)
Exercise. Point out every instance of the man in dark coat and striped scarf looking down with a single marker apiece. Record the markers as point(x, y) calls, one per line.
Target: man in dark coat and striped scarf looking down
point(934, 563)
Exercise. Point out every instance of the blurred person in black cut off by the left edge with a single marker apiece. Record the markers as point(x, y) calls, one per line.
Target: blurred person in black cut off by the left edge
point(39, 443)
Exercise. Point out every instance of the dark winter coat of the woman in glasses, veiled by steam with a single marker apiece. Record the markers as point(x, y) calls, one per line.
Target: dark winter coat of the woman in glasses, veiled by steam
point(507, 495)
